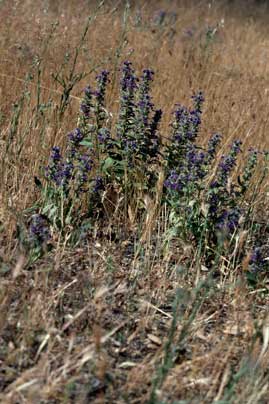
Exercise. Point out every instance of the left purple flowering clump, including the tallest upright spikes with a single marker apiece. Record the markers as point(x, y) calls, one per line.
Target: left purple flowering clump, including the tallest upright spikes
point(95, 156)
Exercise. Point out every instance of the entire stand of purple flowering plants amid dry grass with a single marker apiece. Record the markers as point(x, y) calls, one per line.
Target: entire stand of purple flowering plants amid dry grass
point(204, 196)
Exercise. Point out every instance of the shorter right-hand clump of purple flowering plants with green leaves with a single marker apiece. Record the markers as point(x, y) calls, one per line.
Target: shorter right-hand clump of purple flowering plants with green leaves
point(206, 203)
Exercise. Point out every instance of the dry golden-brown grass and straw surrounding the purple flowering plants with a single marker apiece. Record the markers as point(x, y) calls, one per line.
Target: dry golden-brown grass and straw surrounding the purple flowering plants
point(93, 324)
